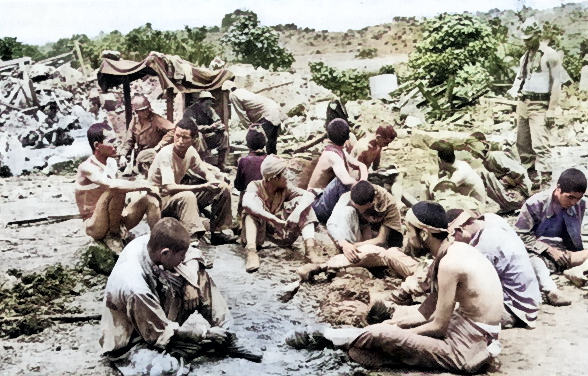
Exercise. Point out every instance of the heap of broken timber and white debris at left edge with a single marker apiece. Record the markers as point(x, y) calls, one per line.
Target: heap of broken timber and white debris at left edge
point(41, 109)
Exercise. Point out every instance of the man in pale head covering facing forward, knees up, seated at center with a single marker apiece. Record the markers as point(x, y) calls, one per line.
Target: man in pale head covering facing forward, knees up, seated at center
point(275, 209)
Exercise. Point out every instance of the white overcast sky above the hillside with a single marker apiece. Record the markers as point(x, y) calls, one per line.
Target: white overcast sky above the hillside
point(42, 21)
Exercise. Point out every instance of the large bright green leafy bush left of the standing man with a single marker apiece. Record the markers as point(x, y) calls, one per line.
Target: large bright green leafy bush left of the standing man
point(450, 42)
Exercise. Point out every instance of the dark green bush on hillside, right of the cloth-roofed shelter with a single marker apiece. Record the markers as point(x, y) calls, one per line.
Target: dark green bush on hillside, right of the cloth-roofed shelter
point(257, 45)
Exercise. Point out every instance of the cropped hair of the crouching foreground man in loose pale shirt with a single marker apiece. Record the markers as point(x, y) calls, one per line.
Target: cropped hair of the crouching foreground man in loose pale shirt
point(168, 233)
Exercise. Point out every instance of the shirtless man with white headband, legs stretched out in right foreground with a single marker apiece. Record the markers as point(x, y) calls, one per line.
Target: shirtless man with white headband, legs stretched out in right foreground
point(438, 335)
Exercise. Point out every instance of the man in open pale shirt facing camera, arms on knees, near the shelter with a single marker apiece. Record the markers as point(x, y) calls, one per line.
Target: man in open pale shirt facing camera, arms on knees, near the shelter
point(183, 201)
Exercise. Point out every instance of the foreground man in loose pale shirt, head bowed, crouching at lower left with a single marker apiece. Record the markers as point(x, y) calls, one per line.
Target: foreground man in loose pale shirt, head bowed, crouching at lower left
point(161, 305)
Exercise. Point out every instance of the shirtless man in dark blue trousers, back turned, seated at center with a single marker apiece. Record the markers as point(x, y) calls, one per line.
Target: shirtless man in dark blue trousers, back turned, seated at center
point(332, 172)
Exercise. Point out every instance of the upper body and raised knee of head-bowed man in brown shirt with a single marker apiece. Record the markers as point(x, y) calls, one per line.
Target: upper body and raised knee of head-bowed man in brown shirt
point(366, 215)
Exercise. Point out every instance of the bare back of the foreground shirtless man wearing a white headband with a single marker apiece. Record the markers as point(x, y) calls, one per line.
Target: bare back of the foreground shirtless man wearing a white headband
point(477, 287)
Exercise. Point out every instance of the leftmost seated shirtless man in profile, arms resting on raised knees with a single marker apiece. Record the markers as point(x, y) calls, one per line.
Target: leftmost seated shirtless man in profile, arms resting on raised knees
point(100, 196)
